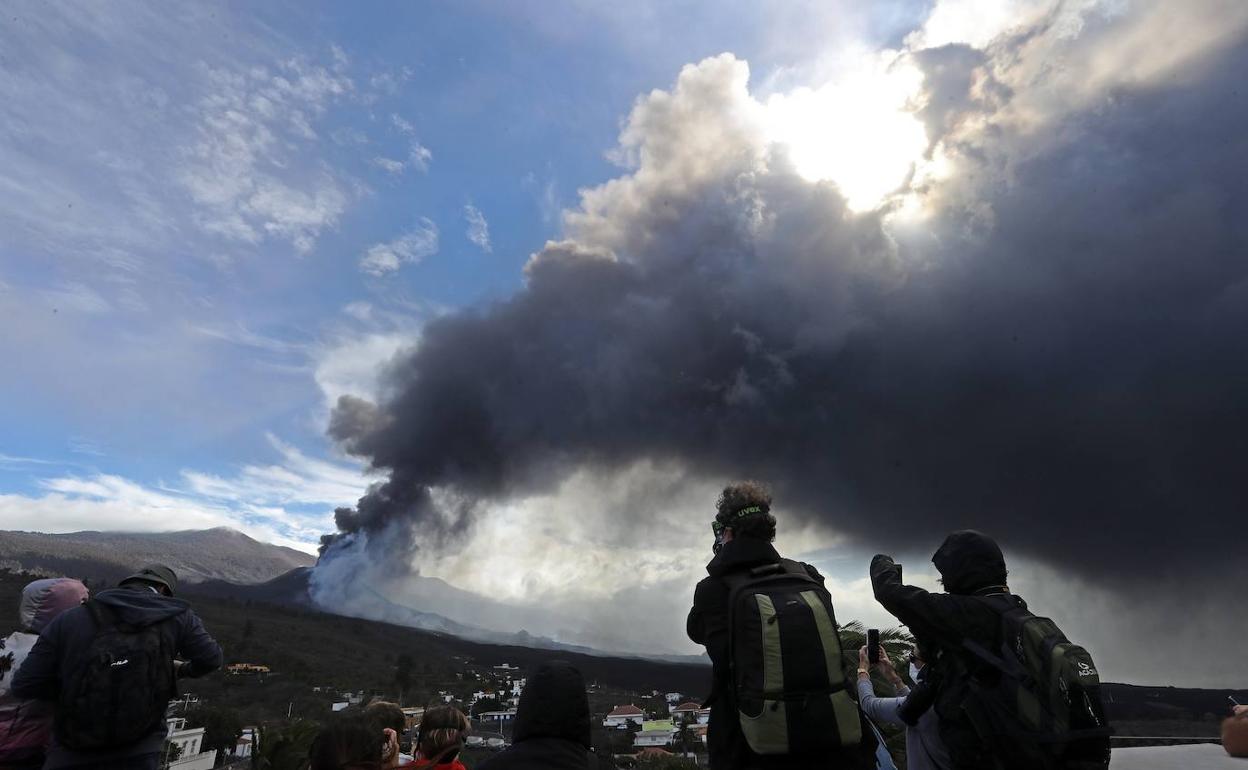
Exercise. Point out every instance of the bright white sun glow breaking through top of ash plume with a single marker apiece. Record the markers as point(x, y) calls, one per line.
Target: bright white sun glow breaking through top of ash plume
point(859, 133)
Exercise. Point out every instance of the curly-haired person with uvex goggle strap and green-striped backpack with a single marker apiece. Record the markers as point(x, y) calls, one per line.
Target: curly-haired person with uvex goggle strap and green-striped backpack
point(773, 704)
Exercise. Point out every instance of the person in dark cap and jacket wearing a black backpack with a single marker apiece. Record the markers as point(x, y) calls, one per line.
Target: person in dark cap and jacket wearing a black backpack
point(140, 623)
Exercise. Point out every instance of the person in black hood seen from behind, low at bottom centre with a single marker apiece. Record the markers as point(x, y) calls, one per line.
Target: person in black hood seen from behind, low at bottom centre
point(552, 724)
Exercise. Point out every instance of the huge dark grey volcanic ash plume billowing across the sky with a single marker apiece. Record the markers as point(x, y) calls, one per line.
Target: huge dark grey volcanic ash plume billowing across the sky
point(1054, 353)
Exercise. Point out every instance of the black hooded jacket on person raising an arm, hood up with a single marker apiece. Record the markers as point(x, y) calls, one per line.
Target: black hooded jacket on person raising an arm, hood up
point(970, 565)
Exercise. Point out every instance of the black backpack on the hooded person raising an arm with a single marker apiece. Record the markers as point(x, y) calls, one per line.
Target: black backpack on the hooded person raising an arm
point(1035, 702)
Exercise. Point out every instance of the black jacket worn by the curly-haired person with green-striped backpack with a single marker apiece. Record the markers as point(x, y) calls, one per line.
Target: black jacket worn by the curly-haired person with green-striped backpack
point(708, 625)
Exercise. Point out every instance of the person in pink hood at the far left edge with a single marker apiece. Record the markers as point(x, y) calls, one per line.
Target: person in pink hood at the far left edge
point(27, 726)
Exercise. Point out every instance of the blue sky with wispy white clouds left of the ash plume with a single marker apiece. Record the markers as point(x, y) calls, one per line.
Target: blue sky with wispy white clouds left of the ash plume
point(214, 219)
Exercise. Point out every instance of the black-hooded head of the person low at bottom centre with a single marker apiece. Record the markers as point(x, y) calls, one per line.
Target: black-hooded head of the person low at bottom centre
point(555, 704)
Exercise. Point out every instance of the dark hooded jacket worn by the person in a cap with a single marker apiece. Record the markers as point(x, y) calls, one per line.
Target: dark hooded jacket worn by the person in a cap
point(64, 645)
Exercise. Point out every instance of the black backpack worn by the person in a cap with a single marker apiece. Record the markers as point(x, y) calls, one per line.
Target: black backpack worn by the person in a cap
point(120, 692)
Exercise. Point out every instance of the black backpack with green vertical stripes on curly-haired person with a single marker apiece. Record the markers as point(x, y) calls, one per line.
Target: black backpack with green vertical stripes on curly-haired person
point(789, 682)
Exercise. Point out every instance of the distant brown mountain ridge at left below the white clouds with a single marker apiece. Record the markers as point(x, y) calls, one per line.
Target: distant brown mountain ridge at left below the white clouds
point(197, 556)
